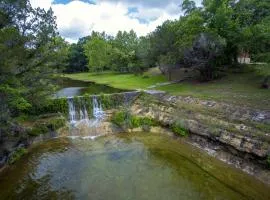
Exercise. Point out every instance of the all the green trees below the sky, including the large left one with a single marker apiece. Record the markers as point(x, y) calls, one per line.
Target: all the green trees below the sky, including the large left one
point(205, 38)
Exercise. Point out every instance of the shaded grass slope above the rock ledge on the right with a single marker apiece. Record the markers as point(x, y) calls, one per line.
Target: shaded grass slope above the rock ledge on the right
point(242, 89)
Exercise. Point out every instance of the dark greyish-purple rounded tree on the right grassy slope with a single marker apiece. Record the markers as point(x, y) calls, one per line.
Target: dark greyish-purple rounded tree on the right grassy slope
point(206, 55)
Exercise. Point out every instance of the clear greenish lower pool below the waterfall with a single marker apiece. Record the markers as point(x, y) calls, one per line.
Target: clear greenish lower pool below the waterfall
point(141, 166)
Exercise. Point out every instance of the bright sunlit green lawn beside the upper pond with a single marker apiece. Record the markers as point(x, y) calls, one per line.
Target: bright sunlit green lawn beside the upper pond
point(121, 81)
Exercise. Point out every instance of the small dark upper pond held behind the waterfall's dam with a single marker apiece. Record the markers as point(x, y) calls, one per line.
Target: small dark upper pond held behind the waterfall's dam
point(69, 87)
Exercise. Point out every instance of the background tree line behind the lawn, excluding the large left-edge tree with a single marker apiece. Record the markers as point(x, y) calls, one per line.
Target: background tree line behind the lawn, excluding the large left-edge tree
point(206, 38)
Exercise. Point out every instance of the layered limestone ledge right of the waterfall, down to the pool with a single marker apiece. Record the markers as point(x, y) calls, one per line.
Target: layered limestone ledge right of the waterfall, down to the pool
point(236, 135)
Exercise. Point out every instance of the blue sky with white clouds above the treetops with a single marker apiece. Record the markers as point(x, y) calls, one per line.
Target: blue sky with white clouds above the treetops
point(78, 18)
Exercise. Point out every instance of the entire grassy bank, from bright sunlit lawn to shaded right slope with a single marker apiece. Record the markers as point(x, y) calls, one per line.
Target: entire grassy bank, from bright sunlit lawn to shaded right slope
point(236, 88)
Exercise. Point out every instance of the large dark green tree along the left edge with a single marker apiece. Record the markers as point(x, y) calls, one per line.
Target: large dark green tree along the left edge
point(28, 64)
